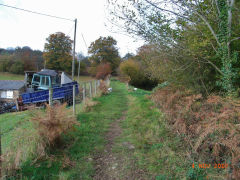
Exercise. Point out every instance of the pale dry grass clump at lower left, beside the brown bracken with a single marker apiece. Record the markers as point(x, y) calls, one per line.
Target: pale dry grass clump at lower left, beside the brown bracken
point(25, 144)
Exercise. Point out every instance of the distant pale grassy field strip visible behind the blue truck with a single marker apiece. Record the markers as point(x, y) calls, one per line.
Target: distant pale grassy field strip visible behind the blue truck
point(9, 76)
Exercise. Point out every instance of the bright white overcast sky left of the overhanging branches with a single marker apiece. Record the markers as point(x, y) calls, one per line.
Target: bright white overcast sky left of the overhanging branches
point(20, 28)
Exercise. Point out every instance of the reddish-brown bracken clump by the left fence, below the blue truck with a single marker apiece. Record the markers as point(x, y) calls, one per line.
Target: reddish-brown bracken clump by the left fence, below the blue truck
point(56, 121)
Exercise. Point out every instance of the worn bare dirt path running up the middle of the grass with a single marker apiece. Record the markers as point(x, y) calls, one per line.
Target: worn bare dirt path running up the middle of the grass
point(112, 165)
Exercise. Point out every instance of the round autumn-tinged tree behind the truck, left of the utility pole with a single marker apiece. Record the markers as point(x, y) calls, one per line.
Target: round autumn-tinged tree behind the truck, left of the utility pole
point(57, 52)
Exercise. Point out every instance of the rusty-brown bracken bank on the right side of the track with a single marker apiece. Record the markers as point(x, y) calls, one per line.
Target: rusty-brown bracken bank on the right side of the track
point(210, 126)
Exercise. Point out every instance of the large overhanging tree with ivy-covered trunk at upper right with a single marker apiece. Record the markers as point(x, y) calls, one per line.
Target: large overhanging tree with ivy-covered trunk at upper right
point(199, 36)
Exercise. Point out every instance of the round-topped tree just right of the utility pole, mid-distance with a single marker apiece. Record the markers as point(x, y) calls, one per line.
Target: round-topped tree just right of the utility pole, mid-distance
point(104, 50)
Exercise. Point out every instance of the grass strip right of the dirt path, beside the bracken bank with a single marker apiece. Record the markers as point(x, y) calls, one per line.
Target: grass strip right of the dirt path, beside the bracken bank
point(158, 152)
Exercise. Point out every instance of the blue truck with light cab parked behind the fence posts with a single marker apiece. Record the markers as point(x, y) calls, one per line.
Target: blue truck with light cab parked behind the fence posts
point(38, 85)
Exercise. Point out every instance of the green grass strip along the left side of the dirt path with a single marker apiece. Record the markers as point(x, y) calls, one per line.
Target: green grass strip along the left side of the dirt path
point(74, 159)
